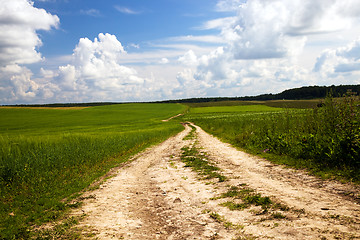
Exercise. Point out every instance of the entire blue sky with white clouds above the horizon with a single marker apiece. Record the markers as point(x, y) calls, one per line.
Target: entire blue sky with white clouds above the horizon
point(140, 50)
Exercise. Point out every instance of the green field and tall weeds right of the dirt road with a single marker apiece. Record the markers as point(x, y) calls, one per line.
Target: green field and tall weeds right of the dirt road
point(325, 140)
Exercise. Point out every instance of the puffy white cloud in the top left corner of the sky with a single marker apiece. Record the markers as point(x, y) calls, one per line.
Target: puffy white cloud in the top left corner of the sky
point(19, 21)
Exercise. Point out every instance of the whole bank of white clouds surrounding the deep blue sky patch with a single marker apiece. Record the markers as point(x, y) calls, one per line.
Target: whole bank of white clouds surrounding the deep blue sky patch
point(256, 51)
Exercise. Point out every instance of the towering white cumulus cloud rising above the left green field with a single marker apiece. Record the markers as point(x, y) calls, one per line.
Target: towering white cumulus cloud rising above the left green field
point(95, 70)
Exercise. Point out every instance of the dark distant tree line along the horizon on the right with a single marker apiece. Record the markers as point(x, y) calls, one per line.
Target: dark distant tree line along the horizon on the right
point(302, 93)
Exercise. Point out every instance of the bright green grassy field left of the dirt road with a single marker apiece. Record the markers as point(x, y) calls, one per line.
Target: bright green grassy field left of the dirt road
point(49, 155)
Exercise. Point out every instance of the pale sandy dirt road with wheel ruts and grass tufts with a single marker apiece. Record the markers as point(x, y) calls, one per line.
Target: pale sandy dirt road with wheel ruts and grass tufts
point(156, 196)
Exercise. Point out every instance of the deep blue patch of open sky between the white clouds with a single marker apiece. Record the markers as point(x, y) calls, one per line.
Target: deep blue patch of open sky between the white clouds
point(133, 22)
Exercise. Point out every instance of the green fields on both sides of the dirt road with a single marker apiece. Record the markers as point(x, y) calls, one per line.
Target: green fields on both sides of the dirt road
point(49, 155)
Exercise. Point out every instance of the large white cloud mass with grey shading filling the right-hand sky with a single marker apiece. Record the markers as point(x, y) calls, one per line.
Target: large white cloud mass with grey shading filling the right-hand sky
point(263, 42)
